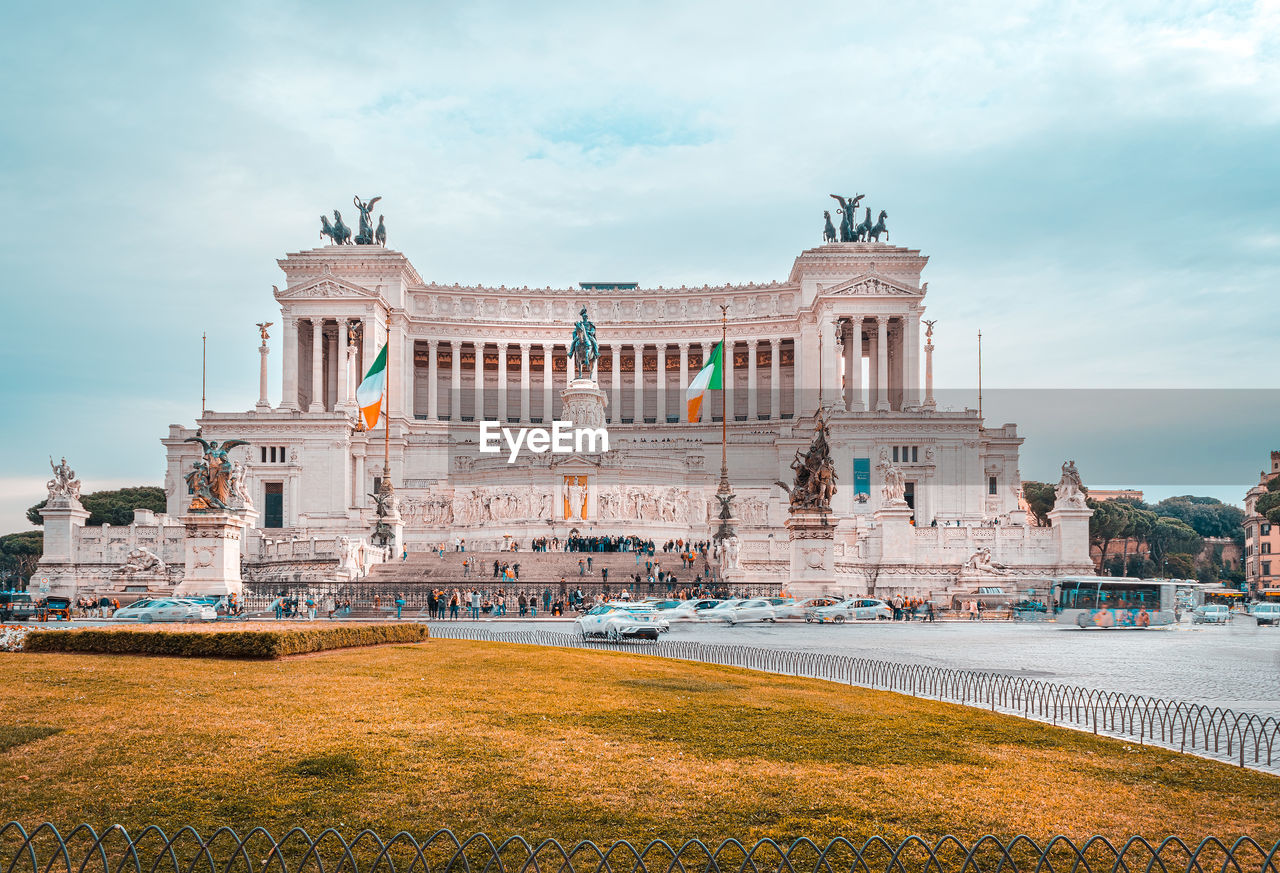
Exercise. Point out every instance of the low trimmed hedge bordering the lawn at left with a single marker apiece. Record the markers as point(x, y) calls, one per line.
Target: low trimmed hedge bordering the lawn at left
point(267, 643)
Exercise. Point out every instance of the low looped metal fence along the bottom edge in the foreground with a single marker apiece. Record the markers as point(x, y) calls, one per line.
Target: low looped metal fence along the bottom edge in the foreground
point(116, 851)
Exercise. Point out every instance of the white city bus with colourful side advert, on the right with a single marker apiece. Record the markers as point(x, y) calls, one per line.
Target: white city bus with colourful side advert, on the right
point(1109, 602)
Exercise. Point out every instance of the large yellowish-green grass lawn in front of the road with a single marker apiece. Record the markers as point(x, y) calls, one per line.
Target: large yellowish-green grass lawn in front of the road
point(568, 744)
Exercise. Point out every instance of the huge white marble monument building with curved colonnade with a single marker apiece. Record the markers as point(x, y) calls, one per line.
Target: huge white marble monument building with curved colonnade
point(843, 331)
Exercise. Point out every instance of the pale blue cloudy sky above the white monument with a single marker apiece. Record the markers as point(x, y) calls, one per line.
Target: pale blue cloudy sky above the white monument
point(1096, 186)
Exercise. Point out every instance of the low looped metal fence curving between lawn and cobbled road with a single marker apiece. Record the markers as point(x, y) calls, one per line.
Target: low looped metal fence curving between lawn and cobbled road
point(1246, 739)
